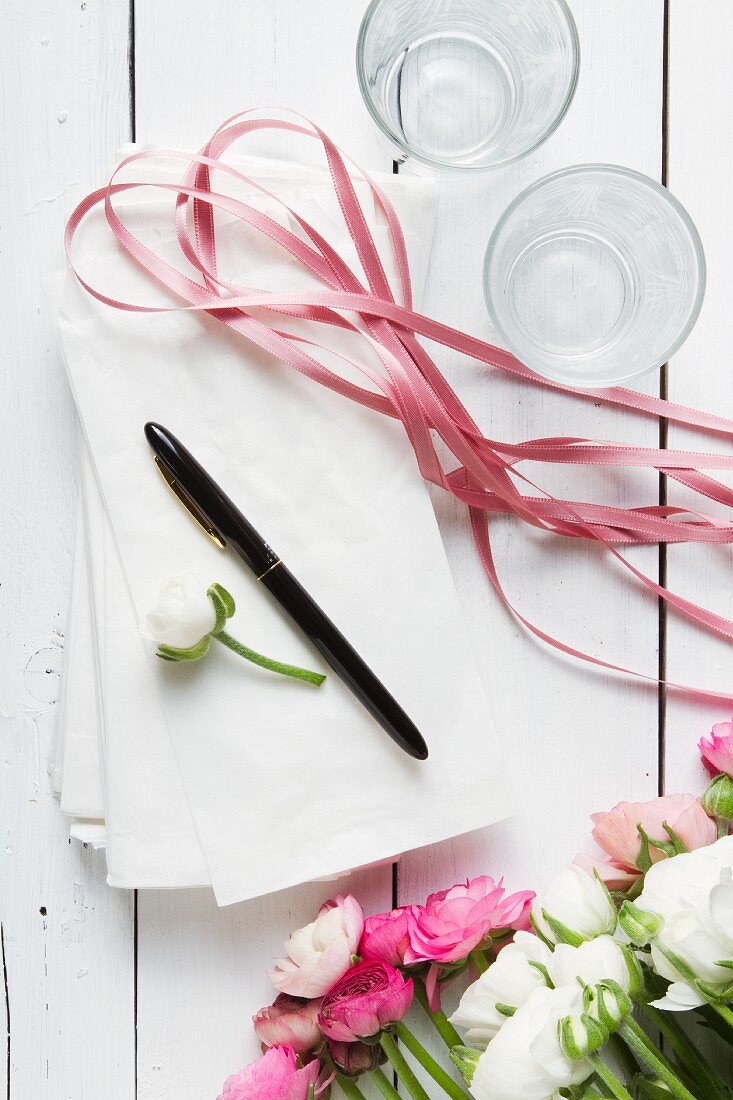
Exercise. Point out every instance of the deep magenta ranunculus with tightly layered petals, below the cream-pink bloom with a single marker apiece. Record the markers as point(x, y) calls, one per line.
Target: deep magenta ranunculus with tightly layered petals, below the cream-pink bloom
point(368, 998)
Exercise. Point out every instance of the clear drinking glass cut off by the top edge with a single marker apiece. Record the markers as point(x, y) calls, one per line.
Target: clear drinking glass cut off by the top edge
point(467, 84)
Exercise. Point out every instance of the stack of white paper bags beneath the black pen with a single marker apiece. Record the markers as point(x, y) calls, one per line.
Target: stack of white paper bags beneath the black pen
point(220, 774)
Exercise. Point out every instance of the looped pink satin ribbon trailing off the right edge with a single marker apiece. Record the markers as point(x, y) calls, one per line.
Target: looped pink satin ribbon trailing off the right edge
point(412, 388)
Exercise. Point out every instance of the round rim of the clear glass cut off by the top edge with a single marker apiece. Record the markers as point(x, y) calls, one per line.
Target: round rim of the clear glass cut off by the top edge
point(447, 167)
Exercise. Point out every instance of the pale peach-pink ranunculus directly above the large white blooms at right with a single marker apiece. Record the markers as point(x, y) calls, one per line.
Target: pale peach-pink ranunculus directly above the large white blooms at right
point(617, 833)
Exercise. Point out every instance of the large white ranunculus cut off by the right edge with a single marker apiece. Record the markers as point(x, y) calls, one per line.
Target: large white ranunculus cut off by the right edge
point(694, 896)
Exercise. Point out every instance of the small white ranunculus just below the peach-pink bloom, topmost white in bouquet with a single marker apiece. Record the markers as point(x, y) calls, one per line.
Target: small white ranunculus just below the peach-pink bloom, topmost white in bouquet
point(578, 901)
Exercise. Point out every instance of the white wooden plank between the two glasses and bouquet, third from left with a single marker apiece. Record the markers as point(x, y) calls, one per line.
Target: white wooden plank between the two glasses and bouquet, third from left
point(576, 741)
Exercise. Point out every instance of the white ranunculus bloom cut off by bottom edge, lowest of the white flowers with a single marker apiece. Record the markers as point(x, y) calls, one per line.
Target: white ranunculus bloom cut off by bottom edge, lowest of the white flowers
point(524, 1061)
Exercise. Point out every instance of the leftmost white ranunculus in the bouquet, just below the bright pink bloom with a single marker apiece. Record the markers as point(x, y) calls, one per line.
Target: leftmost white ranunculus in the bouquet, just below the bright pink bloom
point(510, 981)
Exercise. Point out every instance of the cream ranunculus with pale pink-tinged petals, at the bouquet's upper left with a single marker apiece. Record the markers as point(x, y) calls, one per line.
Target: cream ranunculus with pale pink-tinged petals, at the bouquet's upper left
point(322, 952)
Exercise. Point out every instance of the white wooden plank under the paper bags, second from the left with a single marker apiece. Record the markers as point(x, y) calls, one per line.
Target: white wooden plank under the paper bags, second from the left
point(202, 971)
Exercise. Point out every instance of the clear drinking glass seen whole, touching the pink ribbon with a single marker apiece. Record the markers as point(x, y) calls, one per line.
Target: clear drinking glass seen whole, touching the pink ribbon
point(595, 276)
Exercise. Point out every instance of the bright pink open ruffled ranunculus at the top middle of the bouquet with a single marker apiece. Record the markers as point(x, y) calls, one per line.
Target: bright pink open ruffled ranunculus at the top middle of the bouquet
point(454, 922)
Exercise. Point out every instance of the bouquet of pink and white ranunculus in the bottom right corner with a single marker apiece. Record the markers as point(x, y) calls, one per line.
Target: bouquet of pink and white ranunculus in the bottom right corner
point(578, 994)
